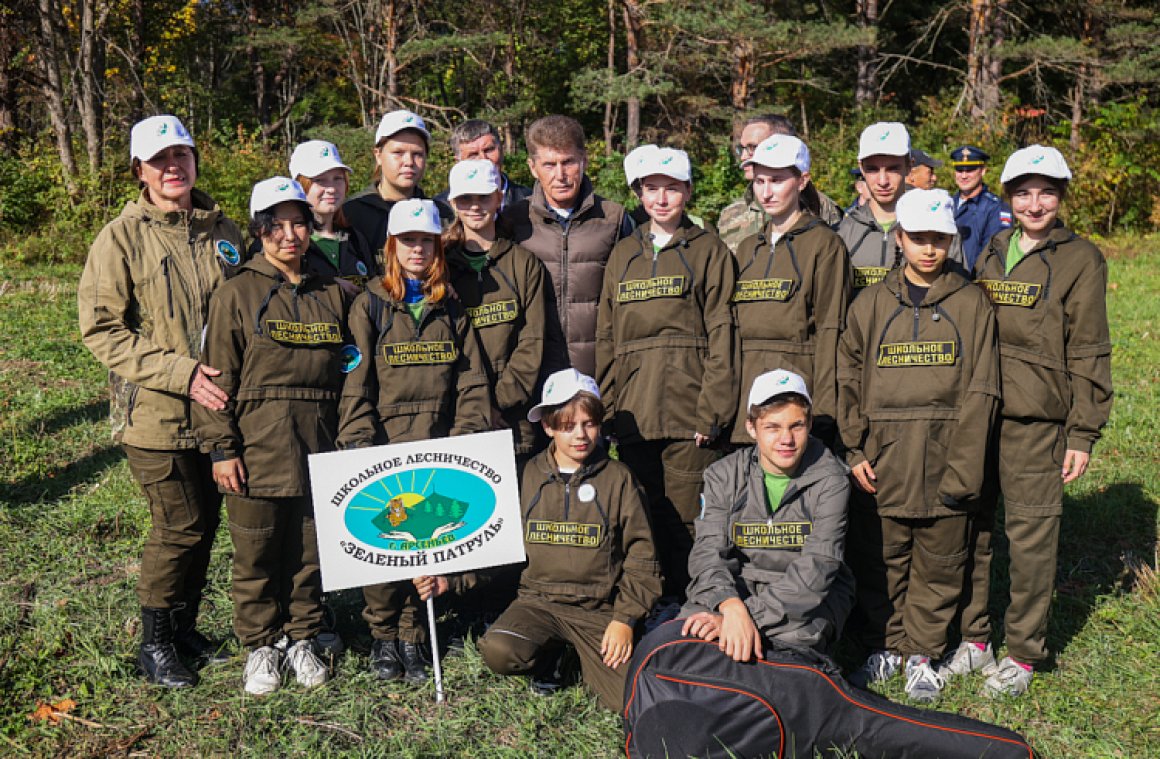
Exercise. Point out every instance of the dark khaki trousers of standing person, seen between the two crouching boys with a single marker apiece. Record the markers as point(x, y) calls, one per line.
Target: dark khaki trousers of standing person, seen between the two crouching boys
point(672, 474)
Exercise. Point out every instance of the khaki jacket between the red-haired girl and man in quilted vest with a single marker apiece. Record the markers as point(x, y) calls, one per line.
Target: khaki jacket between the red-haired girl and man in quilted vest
point(507, 307)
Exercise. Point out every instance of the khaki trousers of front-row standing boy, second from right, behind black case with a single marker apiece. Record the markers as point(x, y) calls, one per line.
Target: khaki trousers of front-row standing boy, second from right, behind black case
point(910, 575)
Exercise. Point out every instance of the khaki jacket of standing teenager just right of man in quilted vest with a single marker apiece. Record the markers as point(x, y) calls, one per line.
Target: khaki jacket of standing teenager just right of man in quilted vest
point(666, 337)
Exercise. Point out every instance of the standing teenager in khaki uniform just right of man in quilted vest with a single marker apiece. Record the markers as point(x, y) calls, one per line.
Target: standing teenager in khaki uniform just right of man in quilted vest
point(666, 352)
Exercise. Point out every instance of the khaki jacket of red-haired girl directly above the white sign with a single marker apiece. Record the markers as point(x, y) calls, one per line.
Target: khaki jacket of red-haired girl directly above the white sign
point(415, 382)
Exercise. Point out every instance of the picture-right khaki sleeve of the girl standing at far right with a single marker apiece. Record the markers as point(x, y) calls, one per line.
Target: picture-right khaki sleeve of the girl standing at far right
point(1089, 356)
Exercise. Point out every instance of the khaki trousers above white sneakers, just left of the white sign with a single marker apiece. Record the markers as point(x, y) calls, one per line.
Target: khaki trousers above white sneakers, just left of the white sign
point(278, 584)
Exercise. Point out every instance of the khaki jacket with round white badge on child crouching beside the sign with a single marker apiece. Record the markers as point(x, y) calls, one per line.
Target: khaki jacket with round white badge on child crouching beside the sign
point(589, 541)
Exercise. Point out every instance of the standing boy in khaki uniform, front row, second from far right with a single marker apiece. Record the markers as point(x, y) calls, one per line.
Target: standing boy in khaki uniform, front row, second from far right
point(918, 394)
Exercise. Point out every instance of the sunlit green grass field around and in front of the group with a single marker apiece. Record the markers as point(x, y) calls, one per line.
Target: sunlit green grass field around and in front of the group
point(72, 524)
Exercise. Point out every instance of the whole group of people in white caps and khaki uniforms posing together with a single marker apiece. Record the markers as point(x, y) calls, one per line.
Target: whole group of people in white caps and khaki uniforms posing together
point(793, 425)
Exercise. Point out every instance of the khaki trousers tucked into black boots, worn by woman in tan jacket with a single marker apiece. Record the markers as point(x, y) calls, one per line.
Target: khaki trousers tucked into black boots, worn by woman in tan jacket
point(185, 510)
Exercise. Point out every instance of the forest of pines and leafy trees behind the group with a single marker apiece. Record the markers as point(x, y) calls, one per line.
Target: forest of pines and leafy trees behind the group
point(251, 78)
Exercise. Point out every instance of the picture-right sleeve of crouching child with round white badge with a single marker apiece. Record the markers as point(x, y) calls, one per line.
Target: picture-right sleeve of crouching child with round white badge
point(640, 584)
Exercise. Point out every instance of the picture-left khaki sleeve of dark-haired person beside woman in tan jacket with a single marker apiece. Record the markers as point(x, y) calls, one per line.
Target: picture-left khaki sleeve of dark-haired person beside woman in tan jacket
point(224, 350)
